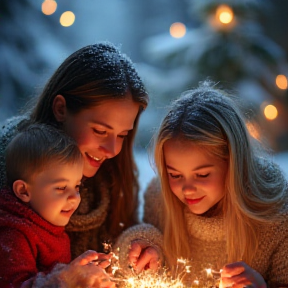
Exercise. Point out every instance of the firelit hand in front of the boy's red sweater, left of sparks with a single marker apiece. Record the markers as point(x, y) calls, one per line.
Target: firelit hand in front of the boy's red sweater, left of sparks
point(87, 271)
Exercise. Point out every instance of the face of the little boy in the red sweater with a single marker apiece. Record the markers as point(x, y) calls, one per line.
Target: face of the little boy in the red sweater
point(55, 192)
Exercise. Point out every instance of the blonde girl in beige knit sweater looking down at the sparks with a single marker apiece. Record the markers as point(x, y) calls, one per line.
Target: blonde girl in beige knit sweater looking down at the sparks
point(224, 201)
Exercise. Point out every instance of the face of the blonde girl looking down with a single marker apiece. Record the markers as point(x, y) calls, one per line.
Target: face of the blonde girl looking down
point(195, 176)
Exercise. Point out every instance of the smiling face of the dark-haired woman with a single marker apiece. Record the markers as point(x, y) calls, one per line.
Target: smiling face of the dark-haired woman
point(100, 131)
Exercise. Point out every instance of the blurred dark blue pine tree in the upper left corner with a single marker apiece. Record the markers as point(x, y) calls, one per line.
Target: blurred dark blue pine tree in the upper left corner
point(24, 53)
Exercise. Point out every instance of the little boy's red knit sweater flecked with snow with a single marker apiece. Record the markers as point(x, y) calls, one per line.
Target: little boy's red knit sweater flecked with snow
point(28, 243)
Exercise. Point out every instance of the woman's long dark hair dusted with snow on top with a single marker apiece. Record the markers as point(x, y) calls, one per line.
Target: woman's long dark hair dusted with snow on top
point(89, 76)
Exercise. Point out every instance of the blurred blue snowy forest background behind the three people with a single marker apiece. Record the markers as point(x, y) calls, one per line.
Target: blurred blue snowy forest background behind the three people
point(245, 55)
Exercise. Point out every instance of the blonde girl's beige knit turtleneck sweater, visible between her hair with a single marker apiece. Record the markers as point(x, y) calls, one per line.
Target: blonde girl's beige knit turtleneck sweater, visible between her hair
point(206, 238)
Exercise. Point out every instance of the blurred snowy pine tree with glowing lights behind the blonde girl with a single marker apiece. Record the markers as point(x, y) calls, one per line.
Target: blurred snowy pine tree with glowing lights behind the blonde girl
point(228, 46)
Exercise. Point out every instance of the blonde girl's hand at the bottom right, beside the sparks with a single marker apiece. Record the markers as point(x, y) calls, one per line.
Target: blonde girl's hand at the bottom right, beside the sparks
point(239, 274)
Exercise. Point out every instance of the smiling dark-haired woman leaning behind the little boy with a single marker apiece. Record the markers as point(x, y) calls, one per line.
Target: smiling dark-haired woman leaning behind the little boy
point(96, 97)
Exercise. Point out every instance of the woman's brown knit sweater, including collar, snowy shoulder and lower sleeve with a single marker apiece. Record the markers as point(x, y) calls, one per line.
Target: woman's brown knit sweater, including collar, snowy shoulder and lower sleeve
point(86, 227)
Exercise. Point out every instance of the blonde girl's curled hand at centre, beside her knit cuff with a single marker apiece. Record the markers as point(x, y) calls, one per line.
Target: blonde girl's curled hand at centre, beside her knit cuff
point(143, 256)
